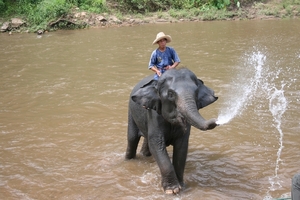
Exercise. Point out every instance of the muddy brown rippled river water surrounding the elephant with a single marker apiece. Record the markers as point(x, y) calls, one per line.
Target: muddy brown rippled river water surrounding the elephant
point(63, 111)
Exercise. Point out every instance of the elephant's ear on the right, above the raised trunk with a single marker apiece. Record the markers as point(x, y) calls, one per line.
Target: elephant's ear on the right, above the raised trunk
point(205, 96)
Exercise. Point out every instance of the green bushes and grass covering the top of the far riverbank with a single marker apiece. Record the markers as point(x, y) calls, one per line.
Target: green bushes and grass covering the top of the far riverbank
point(39, 13)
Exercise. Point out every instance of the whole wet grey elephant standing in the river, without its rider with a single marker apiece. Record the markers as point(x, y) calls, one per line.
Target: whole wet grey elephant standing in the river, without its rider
point(163, 112)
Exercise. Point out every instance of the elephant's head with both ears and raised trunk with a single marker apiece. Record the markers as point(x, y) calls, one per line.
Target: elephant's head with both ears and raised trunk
point(177, 96)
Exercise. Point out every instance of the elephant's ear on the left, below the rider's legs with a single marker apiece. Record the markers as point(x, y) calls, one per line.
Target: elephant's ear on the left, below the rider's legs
point(147, 97)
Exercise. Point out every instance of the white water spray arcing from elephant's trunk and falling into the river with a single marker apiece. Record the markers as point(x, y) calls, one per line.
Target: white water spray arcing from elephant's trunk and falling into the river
point(244, 91)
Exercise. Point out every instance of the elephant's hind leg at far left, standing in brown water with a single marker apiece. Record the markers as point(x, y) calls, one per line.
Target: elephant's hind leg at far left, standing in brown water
point(133, 138)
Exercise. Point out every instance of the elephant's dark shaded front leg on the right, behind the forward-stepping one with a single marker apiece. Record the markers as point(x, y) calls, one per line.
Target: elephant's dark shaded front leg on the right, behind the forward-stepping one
point(180, 150)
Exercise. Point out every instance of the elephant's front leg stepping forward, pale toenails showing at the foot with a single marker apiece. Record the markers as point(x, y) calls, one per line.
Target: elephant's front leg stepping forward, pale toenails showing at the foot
point(158, 149)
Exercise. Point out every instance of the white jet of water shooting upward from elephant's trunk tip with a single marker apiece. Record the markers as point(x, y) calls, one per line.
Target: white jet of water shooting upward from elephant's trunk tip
point(245, 89)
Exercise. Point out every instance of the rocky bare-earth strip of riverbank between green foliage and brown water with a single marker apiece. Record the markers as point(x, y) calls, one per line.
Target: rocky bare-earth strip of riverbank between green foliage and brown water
point(76, 19)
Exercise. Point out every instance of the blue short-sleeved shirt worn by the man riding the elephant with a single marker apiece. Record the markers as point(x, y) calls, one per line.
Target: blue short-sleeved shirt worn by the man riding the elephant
point(163, 59)
